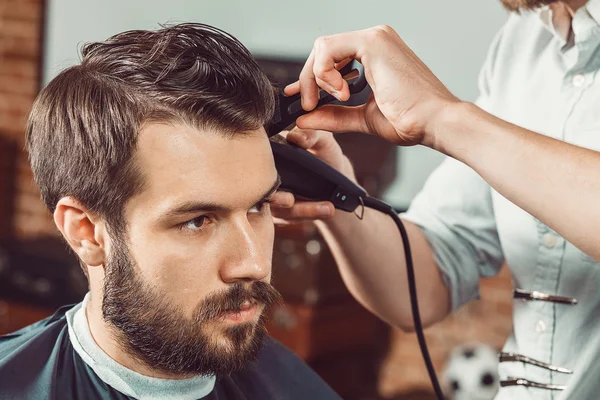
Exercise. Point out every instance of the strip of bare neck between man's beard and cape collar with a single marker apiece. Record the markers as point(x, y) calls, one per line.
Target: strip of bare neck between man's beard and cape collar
point(101, 334)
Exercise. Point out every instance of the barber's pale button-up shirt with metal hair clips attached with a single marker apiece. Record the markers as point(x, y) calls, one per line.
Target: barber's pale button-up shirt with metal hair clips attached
point(536, 79)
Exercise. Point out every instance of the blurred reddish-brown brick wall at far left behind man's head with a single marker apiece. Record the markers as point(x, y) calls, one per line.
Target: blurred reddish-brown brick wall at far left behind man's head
point(21, 27)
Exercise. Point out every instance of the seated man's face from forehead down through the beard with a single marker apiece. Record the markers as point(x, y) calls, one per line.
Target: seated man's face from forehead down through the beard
point(187, 285)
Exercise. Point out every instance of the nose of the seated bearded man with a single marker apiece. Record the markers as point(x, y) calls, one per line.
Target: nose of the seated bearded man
point(246, 259)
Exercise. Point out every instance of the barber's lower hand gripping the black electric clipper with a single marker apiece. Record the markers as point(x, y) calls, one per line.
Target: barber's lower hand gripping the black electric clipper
point(285, 208)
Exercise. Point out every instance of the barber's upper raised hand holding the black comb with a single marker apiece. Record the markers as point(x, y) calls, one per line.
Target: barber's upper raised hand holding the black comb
point(407, 99)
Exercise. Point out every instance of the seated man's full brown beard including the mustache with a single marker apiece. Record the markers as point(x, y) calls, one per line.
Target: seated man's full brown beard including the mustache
point(155, 332)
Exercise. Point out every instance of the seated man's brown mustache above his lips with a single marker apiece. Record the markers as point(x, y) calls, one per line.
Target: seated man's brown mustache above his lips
point(231, 300)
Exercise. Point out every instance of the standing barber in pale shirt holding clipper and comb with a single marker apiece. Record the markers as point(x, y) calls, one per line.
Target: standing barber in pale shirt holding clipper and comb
point(521, 184)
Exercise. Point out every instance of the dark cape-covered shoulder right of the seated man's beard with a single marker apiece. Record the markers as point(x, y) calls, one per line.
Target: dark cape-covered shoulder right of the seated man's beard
point(279, 373)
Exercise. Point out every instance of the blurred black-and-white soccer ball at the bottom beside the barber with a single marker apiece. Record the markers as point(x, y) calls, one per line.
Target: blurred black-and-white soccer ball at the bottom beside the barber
point(471, 373)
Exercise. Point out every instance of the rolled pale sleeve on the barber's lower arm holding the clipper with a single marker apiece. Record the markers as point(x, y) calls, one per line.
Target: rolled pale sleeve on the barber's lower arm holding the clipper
point(455, 212)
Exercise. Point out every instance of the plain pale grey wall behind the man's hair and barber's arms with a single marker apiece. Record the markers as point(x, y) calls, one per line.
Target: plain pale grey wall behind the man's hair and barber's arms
point(450, 36)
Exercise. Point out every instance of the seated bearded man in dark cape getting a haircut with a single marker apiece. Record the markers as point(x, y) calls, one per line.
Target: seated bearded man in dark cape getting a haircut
point(152, 156)
